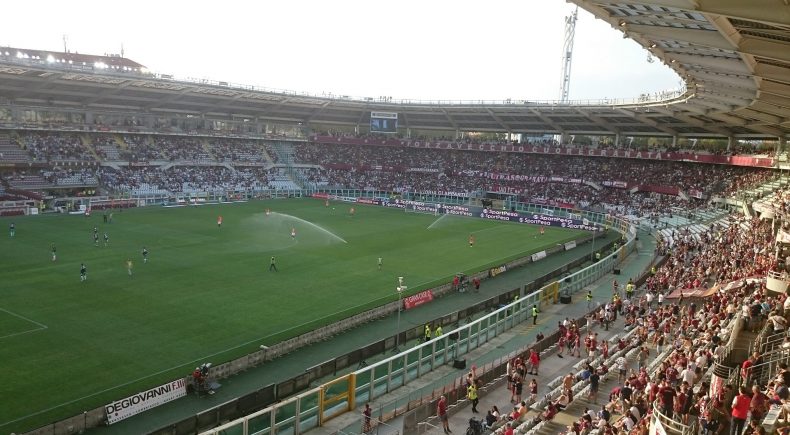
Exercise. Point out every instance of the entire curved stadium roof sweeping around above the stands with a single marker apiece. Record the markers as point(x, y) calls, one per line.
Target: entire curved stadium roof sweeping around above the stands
point(733, 55)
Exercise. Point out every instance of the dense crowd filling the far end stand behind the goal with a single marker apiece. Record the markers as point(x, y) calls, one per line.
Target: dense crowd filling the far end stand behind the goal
point(580, 181)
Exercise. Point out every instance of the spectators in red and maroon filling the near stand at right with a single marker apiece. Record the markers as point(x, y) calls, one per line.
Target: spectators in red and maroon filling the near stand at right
point(671, 344)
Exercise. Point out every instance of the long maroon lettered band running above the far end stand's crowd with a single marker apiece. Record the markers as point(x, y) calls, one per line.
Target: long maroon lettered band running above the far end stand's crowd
point(556, 150)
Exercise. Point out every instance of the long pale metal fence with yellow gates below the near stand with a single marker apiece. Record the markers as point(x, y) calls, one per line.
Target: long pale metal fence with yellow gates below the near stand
point(307, 410)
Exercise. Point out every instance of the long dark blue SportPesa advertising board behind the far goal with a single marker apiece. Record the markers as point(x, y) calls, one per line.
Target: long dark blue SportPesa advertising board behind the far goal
point(473, 211)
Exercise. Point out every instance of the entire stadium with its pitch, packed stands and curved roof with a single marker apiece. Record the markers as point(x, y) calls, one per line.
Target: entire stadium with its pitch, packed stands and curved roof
point(196, 256)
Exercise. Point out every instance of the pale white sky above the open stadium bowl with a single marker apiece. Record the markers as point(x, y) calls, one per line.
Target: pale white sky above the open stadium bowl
point(409, 49)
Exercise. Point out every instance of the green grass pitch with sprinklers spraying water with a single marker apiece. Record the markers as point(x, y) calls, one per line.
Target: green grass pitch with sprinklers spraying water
point(206, 293)
